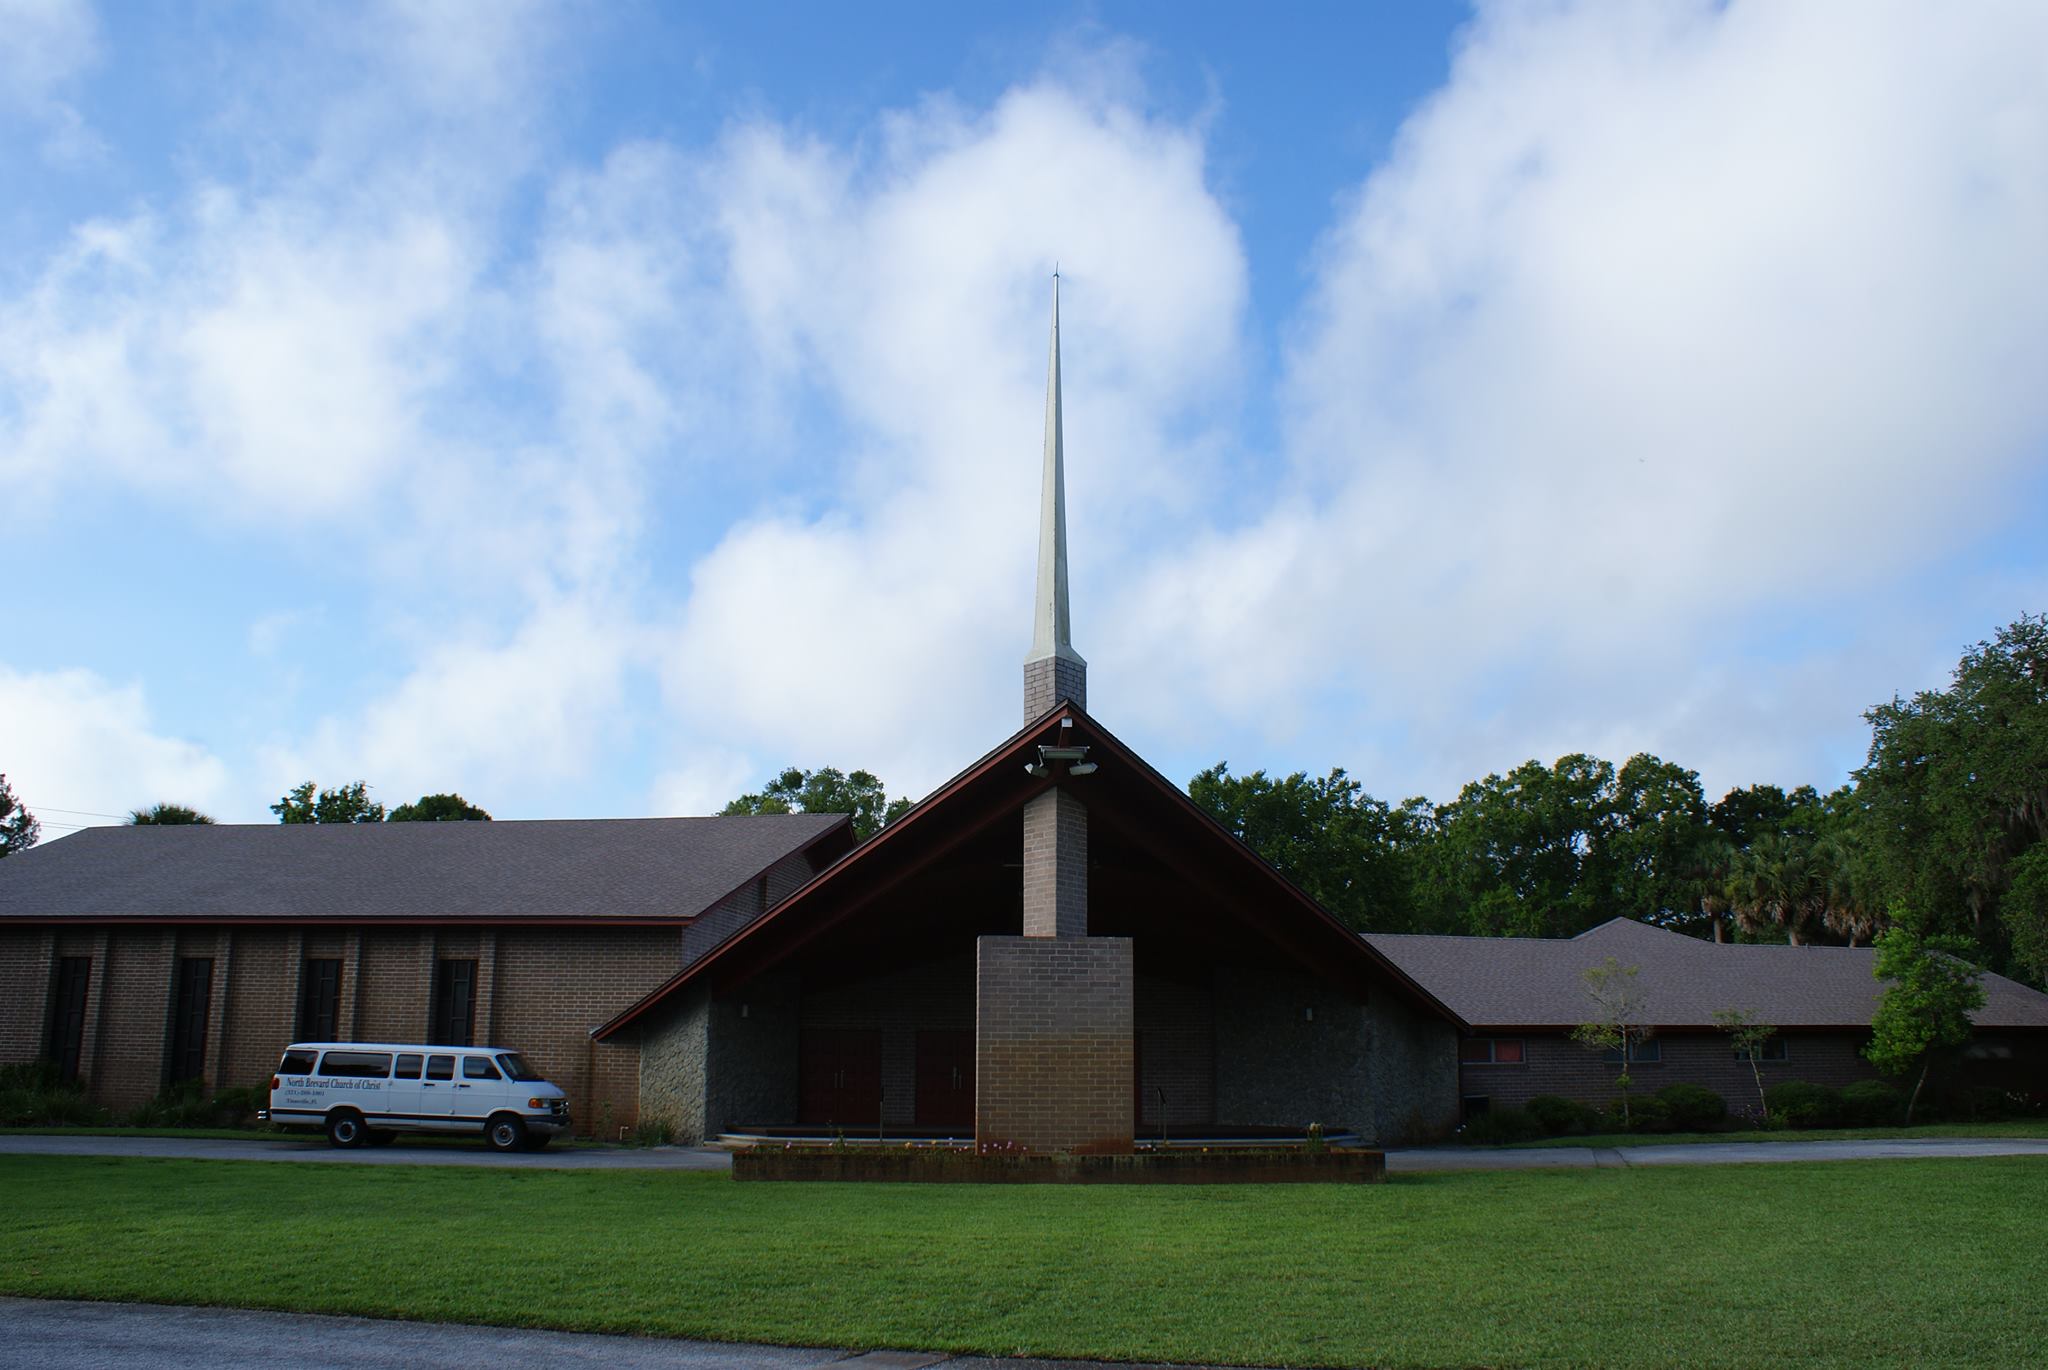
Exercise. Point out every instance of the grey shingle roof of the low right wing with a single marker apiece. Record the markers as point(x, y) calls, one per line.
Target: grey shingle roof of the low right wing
point(1535, 982)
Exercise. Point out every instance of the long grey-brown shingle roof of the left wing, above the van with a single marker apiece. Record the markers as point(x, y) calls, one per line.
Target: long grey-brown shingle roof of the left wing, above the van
point(431, 871)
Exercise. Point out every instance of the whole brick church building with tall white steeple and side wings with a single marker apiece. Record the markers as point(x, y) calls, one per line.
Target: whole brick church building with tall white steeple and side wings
point(1054, 951)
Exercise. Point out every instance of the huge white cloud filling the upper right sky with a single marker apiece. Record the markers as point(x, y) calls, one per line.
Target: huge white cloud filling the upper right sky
point(1658, 316)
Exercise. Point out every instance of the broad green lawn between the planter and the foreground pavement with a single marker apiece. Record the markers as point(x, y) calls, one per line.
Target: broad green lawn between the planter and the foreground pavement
point(1877, 1262)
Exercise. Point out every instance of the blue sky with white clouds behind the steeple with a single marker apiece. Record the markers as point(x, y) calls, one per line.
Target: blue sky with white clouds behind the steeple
point(595, 411)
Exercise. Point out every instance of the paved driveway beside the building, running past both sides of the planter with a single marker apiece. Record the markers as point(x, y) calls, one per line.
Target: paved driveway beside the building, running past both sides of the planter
point(1406, 1160)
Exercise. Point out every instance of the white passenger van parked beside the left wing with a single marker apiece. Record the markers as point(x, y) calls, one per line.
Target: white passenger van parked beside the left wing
point(370, 1093)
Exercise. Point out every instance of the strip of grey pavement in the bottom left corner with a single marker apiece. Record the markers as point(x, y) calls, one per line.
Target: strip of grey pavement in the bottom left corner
point(124, 1336)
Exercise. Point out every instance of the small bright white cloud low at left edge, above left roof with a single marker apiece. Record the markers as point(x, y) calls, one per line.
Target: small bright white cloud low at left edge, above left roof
point(89, 746)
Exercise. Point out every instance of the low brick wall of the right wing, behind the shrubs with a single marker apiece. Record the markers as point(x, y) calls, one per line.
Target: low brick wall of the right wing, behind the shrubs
point(1560, 1066)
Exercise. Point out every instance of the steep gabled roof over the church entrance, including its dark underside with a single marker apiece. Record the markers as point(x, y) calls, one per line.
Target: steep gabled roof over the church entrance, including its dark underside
point(1125, 800)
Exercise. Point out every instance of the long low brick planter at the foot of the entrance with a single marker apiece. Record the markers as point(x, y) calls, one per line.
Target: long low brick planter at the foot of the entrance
point(945, 1166)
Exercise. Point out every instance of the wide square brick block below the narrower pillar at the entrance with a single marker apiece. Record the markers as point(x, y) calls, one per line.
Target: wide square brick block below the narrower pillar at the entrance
point(1054, 1043)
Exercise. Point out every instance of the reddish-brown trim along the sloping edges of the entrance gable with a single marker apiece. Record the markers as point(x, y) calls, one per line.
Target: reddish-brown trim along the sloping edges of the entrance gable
point(1009, 753)
